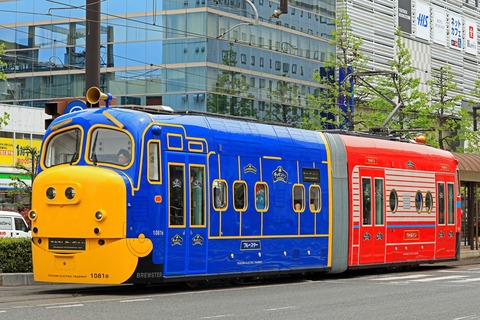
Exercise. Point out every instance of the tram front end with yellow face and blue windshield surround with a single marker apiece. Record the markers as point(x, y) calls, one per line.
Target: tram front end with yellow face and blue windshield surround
point(79, 202)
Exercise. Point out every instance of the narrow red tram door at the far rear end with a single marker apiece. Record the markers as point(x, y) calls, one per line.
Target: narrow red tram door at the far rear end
point(445, 230)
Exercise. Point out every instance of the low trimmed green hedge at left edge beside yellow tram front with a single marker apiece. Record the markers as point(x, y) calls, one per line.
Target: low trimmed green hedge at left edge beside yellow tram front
point(15, 255)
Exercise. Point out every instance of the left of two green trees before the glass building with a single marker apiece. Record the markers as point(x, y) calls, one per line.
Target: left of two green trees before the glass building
point(231, 89)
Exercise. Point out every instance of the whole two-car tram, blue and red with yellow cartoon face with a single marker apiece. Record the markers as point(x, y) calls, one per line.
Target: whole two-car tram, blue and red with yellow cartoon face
point(126, 196)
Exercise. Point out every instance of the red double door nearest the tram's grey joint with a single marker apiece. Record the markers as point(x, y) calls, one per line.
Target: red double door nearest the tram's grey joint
point(372, 216)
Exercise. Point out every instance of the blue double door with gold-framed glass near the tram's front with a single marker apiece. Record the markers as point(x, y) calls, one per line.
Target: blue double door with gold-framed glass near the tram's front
point(186, 238)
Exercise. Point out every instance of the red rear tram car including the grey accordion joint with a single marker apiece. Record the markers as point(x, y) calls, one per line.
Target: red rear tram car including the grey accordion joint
point(403, 203)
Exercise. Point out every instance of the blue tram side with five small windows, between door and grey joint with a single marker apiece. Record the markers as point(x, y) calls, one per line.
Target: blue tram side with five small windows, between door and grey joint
point(273, 235)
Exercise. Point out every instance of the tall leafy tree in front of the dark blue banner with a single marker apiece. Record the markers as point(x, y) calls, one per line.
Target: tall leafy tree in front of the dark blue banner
point(333, 104)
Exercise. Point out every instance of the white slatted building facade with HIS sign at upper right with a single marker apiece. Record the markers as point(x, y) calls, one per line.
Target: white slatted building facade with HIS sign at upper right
point(436, 32)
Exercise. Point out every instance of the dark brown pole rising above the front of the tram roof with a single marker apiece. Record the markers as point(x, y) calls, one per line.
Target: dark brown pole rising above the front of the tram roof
point(92, 50)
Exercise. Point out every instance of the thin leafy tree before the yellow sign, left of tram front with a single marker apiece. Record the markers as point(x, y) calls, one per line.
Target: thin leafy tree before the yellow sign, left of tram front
point(18, 186)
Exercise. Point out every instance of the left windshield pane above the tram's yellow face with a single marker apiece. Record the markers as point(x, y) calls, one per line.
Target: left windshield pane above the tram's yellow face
point(63, 147)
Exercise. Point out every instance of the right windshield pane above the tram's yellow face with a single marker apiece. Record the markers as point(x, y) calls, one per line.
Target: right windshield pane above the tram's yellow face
point(110, 146)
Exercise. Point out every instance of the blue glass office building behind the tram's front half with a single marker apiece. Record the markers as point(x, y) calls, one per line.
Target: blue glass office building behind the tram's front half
point(207, 55)
